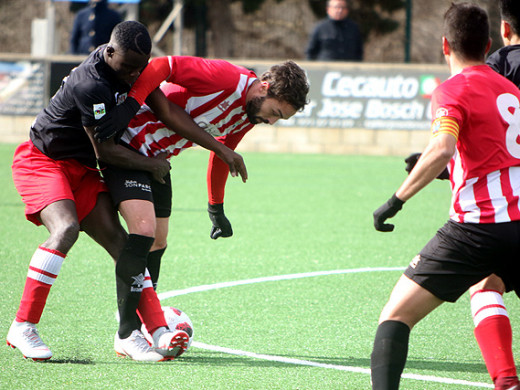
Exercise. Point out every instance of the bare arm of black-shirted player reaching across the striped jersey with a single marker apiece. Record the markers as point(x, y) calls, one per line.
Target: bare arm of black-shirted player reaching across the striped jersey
point(175, 118)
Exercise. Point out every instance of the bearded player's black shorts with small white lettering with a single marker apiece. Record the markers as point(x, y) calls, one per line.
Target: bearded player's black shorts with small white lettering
point(126, 184)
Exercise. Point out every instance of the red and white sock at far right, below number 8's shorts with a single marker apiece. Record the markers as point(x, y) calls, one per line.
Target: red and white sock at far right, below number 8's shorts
point(493, 332)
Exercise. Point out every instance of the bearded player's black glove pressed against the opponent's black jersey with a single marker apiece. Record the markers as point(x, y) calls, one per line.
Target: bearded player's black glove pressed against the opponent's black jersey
point(116, 120)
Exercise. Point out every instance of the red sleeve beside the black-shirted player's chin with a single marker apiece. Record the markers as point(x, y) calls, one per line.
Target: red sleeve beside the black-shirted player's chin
point(158, 70)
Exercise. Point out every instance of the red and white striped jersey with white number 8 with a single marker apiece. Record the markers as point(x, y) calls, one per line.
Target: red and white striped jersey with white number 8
point(485, 170)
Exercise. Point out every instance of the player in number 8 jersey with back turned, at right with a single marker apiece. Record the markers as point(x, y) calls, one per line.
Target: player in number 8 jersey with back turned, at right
point(475, 128)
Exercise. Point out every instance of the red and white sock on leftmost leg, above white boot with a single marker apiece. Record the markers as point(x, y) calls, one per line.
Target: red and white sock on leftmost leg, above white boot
point(43, 271)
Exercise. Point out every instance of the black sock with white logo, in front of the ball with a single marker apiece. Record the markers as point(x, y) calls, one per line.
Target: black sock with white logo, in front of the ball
point(130, 269)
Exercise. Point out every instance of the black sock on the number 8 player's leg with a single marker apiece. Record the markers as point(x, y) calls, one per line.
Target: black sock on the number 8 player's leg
point(389, 355)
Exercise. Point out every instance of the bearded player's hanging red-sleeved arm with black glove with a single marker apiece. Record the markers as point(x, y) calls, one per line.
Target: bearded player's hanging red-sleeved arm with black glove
point(216, 178)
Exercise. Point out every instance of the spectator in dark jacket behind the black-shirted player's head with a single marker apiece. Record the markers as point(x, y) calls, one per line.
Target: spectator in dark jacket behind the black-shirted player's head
point(92, 26)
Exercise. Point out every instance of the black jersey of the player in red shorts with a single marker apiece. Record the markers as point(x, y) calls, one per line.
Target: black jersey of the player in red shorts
point(84, 97)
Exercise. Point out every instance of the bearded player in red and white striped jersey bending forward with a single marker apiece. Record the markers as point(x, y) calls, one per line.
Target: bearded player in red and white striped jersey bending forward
point(226, 101)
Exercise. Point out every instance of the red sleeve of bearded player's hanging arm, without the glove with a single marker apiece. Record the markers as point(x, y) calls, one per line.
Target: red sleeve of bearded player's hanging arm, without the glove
point(218, 170)
